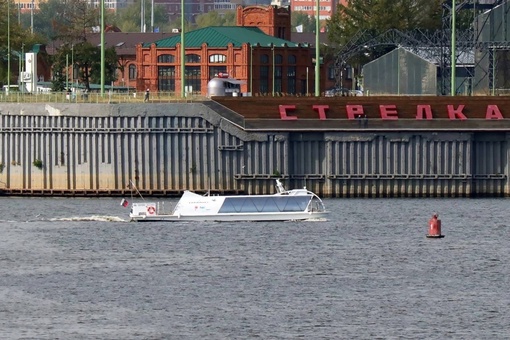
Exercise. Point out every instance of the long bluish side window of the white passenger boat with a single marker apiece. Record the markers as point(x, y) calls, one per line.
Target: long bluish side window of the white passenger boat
point(265, 204)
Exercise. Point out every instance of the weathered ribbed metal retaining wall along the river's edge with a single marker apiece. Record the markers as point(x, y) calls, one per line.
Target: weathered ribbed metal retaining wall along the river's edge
point(95, 149)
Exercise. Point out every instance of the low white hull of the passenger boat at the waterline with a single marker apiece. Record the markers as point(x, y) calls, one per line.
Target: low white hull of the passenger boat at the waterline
point(294, 216)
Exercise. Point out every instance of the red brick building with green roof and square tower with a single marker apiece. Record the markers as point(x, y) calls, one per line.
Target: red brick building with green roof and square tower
point(258, 52)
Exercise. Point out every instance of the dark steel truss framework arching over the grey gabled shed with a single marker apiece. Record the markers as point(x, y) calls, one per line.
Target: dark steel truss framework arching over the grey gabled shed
point(471, 51)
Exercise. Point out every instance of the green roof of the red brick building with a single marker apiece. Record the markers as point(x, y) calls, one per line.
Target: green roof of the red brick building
point(221, 36)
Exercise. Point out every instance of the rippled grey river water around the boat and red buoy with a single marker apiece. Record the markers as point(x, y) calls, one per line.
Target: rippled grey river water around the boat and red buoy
point(76, 269)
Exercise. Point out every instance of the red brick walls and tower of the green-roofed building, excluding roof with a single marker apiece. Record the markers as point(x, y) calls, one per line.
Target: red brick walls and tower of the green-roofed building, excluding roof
point(264, 70)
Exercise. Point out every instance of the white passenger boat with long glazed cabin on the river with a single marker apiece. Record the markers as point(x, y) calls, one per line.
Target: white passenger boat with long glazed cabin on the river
point(285, 205)
